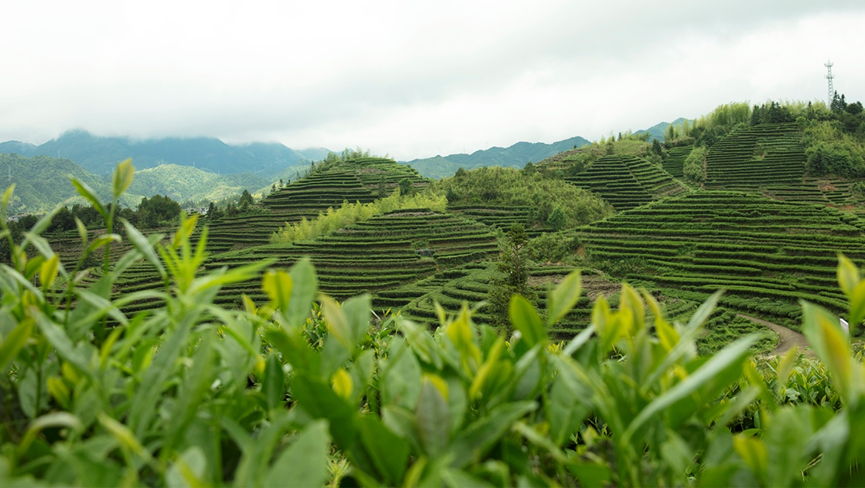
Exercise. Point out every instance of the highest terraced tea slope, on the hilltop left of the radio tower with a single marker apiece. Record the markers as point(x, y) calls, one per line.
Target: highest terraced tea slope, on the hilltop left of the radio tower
point(765, 155)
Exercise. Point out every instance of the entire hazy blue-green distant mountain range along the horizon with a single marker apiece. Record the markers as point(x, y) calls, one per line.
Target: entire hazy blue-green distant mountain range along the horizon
point(206, 169)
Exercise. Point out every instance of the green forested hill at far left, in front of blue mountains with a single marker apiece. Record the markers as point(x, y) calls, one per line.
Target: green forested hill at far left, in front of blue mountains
point(42, 182)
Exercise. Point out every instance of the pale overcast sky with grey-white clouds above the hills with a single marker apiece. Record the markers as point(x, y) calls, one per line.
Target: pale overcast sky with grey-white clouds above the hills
point(409, 79)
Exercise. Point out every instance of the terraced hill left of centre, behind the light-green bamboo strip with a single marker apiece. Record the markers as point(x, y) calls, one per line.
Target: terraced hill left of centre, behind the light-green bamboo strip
point(356, 180)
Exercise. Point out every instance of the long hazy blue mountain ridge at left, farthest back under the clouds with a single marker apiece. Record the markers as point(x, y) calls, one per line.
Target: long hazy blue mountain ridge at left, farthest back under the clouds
point(99, 155)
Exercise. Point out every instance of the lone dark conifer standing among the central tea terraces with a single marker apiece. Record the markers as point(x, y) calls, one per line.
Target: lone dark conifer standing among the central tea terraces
point(513, 265)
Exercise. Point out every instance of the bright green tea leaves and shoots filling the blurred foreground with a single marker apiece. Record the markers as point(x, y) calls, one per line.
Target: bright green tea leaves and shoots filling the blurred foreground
point(299, 393)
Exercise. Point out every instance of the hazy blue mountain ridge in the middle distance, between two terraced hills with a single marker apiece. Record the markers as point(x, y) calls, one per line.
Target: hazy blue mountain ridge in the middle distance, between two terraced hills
point(515, 156)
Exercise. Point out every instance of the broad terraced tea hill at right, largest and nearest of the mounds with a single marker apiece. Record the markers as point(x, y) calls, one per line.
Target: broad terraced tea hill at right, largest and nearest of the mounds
point(767, 254)
